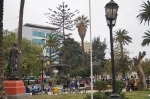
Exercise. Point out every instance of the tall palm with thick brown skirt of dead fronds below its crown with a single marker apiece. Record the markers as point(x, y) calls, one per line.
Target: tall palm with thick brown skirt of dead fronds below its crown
point(82, 23)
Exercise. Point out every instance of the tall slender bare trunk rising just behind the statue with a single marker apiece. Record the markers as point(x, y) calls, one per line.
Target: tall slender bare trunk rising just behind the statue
point(20, 38)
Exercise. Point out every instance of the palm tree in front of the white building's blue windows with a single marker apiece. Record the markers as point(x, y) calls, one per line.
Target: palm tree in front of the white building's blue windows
point(52, 41)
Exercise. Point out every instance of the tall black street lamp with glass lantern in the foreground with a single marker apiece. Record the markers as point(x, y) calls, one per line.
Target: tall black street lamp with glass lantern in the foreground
point(111, 9)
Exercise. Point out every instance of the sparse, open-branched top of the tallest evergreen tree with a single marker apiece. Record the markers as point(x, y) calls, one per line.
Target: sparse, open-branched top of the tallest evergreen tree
point(62, 18)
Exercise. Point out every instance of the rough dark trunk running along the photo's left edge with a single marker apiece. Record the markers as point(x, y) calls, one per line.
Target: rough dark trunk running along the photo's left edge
point(2, 90)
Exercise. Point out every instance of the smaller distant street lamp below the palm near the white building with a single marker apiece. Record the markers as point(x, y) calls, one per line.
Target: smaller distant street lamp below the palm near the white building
point(42, 58)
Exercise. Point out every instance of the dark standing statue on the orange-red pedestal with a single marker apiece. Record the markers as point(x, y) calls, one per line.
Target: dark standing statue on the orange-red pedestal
point(13, 58)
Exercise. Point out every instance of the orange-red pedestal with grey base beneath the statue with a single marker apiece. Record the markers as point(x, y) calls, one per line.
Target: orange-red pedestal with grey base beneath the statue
point(15, 89)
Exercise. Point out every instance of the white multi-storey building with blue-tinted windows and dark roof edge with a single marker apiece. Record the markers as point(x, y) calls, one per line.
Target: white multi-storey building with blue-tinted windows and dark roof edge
point(36, 34)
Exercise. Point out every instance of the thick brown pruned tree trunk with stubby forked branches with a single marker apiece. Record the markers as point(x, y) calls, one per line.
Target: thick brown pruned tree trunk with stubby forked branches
point(140, 73)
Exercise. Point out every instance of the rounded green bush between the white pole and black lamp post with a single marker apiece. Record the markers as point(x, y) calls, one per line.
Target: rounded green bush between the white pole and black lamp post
point(101, 85)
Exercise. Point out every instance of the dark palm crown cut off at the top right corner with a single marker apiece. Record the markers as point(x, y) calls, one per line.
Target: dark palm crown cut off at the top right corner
point(145, 12)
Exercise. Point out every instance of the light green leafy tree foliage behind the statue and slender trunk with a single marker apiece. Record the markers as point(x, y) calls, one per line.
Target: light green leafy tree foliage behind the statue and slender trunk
point(30, 51)
